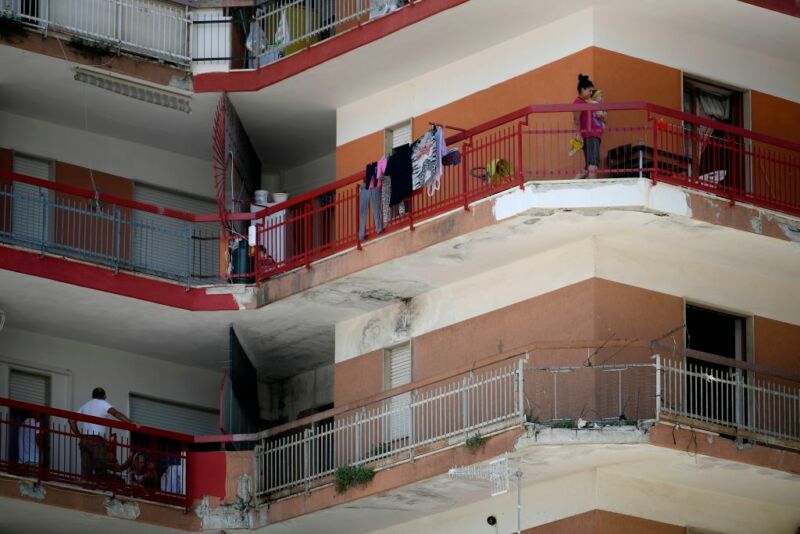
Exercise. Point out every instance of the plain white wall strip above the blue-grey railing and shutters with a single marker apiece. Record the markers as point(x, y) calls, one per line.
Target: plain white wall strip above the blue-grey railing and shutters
point(107, 154)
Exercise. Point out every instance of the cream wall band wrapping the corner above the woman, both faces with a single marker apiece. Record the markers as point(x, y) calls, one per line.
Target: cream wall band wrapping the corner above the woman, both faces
point(691, 35)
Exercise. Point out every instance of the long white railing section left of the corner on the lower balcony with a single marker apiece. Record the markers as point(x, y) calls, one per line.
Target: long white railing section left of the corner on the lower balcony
point(433, 418)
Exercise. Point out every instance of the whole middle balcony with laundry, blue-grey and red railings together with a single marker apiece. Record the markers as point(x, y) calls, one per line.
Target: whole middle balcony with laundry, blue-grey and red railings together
point(644, 142)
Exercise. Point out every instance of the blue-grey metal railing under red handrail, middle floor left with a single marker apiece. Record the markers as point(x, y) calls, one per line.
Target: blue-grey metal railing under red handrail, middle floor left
point(109, 235)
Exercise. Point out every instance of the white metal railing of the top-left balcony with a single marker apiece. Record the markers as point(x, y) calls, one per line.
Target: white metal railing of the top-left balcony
point(148, 27)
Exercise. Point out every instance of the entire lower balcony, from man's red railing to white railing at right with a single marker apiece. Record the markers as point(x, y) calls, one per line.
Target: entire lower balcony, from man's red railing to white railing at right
point(592, 393)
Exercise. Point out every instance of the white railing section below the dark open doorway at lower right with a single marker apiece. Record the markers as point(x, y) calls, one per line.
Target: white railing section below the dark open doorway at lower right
point(731, 398)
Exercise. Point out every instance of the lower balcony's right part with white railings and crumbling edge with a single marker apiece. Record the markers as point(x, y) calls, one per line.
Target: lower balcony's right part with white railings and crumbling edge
point(595, 394)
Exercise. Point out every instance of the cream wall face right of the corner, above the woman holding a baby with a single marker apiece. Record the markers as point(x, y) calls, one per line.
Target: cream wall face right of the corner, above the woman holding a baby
point(694, 36)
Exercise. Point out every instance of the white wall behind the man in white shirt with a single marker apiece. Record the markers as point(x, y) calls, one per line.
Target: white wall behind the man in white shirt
point(80, 367)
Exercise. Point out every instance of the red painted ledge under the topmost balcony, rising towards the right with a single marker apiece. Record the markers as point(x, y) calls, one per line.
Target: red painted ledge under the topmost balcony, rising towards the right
point(253, 80)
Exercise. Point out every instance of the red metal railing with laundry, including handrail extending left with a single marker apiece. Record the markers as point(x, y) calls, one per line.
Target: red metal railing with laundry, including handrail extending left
point(641, 140)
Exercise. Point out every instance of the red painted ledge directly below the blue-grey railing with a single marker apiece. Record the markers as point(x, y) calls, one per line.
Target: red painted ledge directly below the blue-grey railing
point(121, 283)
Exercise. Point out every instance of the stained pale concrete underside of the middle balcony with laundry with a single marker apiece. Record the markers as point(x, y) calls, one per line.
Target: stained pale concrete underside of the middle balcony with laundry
point(297, 333)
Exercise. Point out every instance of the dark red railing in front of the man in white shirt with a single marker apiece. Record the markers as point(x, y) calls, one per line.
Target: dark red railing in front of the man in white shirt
point(38, 442)
